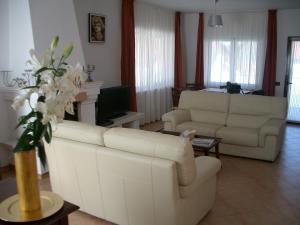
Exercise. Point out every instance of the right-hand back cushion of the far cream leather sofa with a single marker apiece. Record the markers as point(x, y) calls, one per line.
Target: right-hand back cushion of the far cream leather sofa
point(252, 111)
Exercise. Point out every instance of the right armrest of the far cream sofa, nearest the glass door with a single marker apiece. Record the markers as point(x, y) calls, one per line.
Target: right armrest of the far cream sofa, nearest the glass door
point(273, 127)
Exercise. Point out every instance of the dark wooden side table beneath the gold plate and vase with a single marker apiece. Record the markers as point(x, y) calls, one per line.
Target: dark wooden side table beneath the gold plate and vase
point(8, 188)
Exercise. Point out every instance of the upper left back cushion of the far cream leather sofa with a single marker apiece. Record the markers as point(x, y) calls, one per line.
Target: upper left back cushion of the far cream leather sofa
point(204, 100)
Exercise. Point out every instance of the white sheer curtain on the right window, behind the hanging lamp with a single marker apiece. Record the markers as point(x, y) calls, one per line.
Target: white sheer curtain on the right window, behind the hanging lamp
point(236, 52)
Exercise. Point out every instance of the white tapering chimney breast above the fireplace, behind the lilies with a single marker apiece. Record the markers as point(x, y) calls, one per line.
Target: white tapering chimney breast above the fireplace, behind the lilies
point(56, 17)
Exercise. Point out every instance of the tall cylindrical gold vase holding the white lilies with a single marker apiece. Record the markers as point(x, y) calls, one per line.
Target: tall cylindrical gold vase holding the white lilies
point(28, 184)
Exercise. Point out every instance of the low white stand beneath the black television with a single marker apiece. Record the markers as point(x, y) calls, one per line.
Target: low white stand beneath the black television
point(130, 120)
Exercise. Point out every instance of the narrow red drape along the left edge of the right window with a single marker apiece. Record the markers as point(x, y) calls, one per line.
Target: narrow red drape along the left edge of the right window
point(199, 76)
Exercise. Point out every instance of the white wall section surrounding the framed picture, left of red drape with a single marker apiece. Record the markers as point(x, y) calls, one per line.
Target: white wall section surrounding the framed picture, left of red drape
point(106, 56)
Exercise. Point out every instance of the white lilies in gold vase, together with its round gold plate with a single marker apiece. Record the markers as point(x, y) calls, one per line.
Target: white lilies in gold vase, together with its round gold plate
point(55, 88)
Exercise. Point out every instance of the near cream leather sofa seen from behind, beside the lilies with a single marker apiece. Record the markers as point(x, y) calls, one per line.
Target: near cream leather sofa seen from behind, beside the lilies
point(129, 176)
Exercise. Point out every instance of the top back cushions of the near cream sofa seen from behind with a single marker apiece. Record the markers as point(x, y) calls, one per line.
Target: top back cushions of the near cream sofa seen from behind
point(139, 142)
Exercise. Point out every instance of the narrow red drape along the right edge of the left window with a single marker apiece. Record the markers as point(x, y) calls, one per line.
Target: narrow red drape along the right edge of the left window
point(178, 73)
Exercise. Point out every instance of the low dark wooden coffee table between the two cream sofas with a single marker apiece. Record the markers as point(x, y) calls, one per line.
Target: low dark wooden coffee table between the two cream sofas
point(198, 149)
